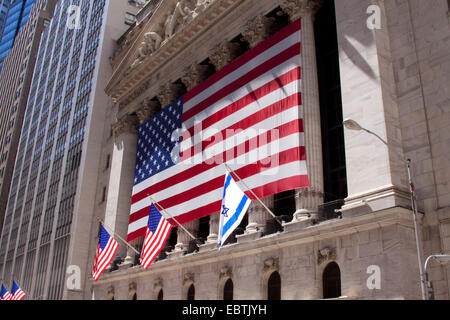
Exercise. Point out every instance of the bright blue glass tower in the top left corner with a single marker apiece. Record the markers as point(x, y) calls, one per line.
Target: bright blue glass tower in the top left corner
point(15, 18)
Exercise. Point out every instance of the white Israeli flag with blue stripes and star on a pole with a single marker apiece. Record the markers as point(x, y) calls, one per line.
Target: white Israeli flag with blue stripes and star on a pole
point(234, 206)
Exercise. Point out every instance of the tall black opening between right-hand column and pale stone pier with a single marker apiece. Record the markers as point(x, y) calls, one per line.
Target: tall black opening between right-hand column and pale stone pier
point(333, 147)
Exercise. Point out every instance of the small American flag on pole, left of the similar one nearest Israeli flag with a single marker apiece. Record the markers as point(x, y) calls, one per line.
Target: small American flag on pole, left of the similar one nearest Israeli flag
point(106, 249)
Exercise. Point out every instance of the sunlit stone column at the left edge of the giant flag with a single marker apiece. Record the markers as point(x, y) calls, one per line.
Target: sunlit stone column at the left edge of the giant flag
point(120, 184)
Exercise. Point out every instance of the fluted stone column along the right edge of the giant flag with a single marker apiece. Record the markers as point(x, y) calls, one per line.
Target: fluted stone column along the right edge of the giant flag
point(307, 200)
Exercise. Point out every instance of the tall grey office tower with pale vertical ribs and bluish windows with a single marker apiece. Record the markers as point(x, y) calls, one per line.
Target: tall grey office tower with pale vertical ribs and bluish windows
point(66, 105)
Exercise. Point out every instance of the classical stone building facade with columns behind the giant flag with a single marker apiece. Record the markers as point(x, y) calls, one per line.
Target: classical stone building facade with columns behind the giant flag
point(393, 77)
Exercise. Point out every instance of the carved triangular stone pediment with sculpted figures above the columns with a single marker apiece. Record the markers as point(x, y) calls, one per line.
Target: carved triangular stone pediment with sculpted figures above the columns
point(168, 30)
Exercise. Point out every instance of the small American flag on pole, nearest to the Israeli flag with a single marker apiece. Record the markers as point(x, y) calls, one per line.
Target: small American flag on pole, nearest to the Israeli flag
point(158, 229)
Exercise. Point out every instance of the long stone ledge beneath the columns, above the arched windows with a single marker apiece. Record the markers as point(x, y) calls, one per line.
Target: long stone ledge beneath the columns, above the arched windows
point(326, 230)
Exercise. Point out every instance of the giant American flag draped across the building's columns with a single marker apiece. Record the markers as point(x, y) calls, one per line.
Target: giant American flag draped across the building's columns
point(248, 114)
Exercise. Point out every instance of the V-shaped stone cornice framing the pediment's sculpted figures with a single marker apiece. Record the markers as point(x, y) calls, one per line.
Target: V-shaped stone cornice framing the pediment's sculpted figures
point(127, 84)
